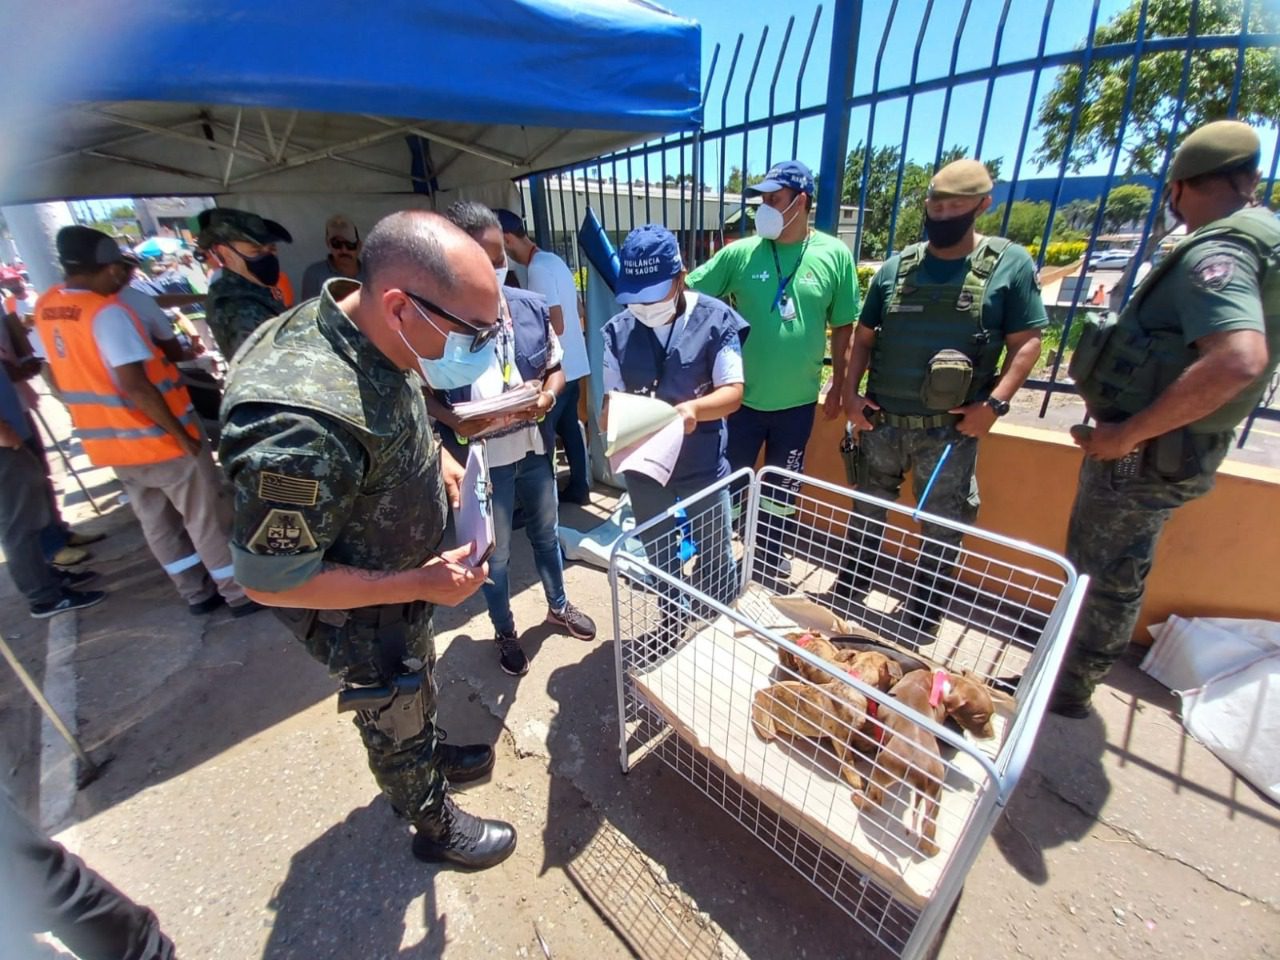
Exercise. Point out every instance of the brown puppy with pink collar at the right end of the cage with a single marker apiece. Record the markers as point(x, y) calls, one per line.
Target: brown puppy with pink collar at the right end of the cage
point(911, 755)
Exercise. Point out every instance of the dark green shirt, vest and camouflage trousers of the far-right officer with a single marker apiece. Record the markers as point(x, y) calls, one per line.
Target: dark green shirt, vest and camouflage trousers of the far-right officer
point(1117, 520)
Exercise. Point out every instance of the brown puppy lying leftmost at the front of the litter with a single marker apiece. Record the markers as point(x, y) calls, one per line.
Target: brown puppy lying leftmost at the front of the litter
point(833, 710)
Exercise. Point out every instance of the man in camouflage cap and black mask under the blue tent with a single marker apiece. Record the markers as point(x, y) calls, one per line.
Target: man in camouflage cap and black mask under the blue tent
point(244, 298)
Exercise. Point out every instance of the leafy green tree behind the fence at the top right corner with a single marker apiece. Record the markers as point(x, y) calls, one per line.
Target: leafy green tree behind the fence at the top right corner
point(1155, 100)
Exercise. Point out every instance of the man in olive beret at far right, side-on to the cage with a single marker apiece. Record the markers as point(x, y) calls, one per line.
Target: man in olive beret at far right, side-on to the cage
point(1168, 382)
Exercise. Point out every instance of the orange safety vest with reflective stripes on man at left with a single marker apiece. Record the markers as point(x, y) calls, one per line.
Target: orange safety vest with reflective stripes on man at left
point(113, 431)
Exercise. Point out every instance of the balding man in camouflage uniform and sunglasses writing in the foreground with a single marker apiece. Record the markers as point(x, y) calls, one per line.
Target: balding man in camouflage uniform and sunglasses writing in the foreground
point(340, 502)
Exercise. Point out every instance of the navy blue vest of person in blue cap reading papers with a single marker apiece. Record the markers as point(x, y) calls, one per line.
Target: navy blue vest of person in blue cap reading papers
point(680, 372)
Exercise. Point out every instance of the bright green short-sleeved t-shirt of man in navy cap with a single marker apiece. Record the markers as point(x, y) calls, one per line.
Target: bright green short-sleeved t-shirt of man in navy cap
point(783, 359)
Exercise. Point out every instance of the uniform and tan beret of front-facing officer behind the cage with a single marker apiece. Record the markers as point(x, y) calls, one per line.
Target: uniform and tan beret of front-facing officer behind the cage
point(920, 307)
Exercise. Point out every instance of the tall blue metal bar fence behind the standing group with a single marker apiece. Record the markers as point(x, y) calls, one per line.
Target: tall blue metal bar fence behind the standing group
point(1232, 51)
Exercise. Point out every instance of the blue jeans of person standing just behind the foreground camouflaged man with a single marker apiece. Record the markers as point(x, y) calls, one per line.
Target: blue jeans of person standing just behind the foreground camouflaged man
point(533, 482)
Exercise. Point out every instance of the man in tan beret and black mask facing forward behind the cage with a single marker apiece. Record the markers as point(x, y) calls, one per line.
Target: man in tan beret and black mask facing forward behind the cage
point(931, 333)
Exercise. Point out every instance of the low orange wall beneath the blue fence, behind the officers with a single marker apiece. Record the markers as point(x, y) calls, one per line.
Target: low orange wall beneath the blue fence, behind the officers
point(1219, 556)
